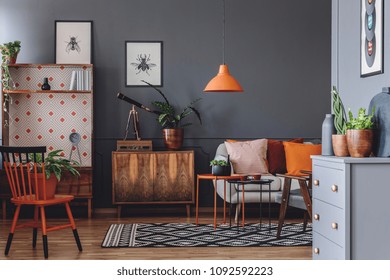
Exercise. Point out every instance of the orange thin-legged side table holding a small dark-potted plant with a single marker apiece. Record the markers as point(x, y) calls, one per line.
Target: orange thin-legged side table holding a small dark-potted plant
point(215, 179)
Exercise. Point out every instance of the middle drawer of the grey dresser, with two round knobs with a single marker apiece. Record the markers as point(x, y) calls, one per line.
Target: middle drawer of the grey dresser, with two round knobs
point(329, 221)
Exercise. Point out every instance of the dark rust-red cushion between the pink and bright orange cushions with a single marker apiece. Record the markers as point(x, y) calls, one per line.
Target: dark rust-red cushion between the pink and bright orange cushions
point(276, 156)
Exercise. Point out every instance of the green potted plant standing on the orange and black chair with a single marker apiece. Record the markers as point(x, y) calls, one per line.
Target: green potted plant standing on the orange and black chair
point(55, 164)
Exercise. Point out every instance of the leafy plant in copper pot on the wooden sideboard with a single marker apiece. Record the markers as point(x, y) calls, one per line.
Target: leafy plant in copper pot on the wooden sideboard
point(171, 121)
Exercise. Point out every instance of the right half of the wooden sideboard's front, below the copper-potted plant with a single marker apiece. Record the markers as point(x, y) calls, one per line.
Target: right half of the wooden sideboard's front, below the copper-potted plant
point(174, 177)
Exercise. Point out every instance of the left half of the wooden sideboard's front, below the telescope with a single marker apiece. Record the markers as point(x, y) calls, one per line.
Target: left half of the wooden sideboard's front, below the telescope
point(132, 175)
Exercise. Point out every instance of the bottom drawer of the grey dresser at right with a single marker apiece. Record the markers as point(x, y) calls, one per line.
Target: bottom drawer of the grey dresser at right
point(324, 249)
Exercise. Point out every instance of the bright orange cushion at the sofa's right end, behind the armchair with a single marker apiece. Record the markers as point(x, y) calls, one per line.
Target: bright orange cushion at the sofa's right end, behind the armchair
point(298, 156)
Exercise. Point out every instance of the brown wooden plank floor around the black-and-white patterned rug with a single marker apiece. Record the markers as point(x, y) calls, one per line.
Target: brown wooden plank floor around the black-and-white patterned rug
point(92, 231)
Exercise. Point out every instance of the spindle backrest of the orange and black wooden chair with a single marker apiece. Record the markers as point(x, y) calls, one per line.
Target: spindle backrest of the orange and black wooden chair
point(23, 171)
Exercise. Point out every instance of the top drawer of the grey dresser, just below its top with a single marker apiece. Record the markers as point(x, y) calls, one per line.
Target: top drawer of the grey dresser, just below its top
point(329, 185)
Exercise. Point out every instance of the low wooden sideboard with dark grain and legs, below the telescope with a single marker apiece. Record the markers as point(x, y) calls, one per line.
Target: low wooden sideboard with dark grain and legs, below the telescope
point(165, 177)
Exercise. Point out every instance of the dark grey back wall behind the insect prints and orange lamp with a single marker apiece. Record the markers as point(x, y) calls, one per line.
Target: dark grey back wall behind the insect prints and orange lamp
point(279, 51)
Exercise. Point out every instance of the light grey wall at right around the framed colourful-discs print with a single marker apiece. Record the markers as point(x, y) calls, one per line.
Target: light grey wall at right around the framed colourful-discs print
point(355, 91)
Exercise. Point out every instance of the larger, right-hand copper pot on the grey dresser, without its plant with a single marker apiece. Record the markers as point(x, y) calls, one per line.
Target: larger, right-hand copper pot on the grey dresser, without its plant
point(360, 142)
